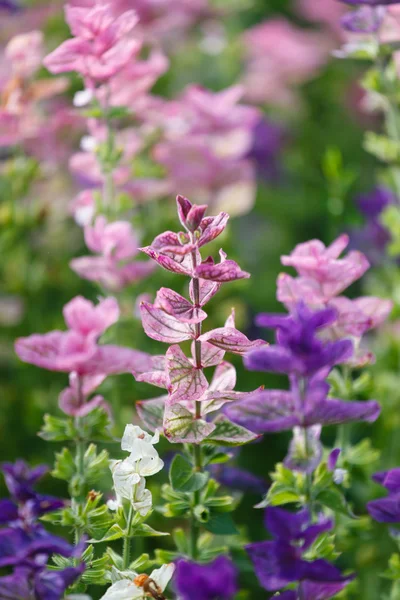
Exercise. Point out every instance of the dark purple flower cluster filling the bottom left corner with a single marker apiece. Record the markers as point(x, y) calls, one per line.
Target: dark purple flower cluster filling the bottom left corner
point(25, 546)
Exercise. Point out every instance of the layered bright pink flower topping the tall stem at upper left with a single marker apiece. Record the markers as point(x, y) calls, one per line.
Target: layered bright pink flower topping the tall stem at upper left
point(101, 46)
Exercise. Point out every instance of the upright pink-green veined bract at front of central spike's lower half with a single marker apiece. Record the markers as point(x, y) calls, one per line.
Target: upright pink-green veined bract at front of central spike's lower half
point(187, 383)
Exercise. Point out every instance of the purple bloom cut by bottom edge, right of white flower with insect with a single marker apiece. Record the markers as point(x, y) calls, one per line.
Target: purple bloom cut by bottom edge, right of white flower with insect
point(213, 581)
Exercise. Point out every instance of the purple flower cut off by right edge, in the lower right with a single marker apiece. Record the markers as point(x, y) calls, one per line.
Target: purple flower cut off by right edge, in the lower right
point(387, 510)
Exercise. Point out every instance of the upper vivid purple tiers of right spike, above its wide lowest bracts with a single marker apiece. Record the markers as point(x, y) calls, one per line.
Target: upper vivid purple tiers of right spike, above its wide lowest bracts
point(298, 349)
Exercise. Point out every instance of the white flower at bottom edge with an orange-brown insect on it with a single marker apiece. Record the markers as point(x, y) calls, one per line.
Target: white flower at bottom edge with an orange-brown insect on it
point(126, 589)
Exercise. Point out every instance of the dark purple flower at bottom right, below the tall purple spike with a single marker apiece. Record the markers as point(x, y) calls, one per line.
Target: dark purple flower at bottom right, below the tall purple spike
point(280, 562)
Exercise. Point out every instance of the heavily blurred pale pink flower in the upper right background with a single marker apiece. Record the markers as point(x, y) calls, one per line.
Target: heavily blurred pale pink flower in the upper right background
point(279, 57)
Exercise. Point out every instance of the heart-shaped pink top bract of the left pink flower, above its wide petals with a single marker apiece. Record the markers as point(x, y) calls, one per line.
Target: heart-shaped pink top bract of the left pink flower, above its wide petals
point(82, 316)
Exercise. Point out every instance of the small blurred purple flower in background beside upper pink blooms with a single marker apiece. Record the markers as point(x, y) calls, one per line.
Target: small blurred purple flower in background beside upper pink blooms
point(266, 145)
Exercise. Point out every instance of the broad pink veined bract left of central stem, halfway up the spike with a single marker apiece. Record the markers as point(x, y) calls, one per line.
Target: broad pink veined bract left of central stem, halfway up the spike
point(162, 327)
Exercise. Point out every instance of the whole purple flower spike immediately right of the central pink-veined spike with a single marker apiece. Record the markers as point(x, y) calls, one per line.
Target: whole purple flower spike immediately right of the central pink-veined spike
point(307, 360)
